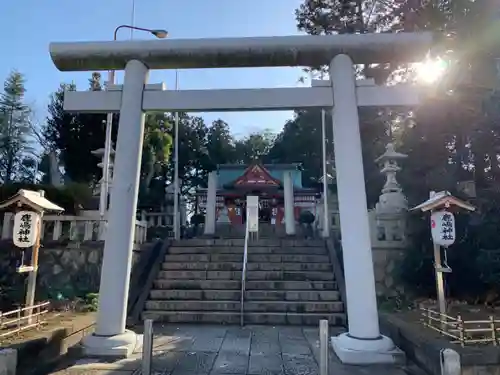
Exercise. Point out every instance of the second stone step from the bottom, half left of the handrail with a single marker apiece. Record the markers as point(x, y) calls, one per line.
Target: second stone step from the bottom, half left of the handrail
point(188, 305)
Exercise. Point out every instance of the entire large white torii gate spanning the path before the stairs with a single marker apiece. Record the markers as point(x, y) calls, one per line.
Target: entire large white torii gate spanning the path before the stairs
point(363, 343)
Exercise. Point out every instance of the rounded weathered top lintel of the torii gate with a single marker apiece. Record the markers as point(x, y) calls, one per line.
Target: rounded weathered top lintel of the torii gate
point(298, 50)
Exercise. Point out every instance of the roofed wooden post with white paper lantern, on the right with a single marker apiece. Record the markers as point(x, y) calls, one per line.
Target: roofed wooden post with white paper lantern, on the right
point(443, 232)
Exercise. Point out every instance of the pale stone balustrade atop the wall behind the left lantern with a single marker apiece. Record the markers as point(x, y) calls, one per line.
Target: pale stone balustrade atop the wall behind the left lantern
point(73, 228)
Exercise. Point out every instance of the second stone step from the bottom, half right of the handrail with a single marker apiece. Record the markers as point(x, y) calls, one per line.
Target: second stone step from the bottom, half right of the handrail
point(294, 306)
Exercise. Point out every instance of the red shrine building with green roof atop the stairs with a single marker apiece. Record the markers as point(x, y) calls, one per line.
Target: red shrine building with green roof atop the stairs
point(236, 181)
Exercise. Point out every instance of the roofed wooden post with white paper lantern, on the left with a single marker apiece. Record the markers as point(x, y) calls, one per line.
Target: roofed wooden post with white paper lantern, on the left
point(30, 206)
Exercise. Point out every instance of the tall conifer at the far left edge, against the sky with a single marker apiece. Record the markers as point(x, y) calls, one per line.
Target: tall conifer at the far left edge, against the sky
point(15, 131)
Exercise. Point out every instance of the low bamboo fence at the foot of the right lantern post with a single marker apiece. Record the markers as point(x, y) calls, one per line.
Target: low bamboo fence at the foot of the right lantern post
point(462, 331)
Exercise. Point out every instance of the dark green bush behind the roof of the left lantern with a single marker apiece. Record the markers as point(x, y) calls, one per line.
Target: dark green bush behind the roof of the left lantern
point(71, 197)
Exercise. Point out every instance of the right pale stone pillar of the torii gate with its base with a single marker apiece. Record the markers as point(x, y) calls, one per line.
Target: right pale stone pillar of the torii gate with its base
point(363, 343)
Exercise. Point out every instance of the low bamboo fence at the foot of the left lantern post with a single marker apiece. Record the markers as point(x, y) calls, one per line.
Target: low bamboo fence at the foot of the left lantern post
point(16, 321)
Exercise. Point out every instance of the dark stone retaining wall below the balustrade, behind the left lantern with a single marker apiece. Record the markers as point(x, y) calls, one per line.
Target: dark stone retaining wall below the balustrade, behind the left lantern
point(66, 270)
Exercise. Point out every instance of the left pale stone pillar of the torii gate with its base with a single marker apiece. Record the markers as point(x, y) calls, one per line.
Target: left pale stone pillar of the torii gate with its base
point(110, 337)
